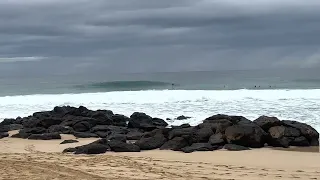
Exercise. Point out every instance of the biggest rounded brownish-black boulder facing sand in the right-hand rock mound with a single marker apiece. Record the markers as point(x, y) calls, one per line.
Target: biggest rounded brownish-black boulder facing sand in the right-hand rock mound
point(248, 135)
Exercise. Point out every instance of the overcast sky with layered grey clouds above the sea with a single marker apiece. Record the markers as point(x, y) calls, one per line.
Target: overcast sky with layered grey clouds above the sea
point(83, 36)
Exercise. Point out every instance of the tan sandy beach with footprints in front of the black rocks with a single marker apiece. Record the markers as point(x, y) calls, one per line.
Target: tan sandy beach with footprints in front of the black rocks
point(43, 160)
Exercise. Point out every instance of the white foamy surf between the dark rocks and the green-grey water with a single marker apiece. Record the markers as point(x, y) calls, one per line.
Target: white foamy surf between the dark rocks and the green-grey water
point(301, 105)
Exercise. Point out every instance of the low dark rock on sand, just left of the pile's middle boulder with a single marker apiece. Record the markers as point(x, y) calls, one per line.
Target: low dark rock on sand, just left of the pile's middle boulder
point(120, 146)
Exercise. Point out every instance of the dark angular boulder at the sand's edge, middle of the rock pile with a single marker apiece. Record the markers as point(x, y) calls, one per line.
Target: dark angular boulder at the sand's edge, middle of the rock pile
point(148, 142)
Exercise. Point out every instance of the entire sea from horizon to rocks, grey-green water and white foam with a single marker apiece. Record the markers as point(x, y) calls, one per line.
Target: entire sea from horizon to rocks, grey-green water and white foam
point(286, 94)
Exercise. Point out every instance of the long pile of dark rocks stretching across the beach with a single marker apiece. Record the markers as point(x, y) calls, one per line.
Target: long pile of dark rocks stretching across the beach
point(138, 132)
